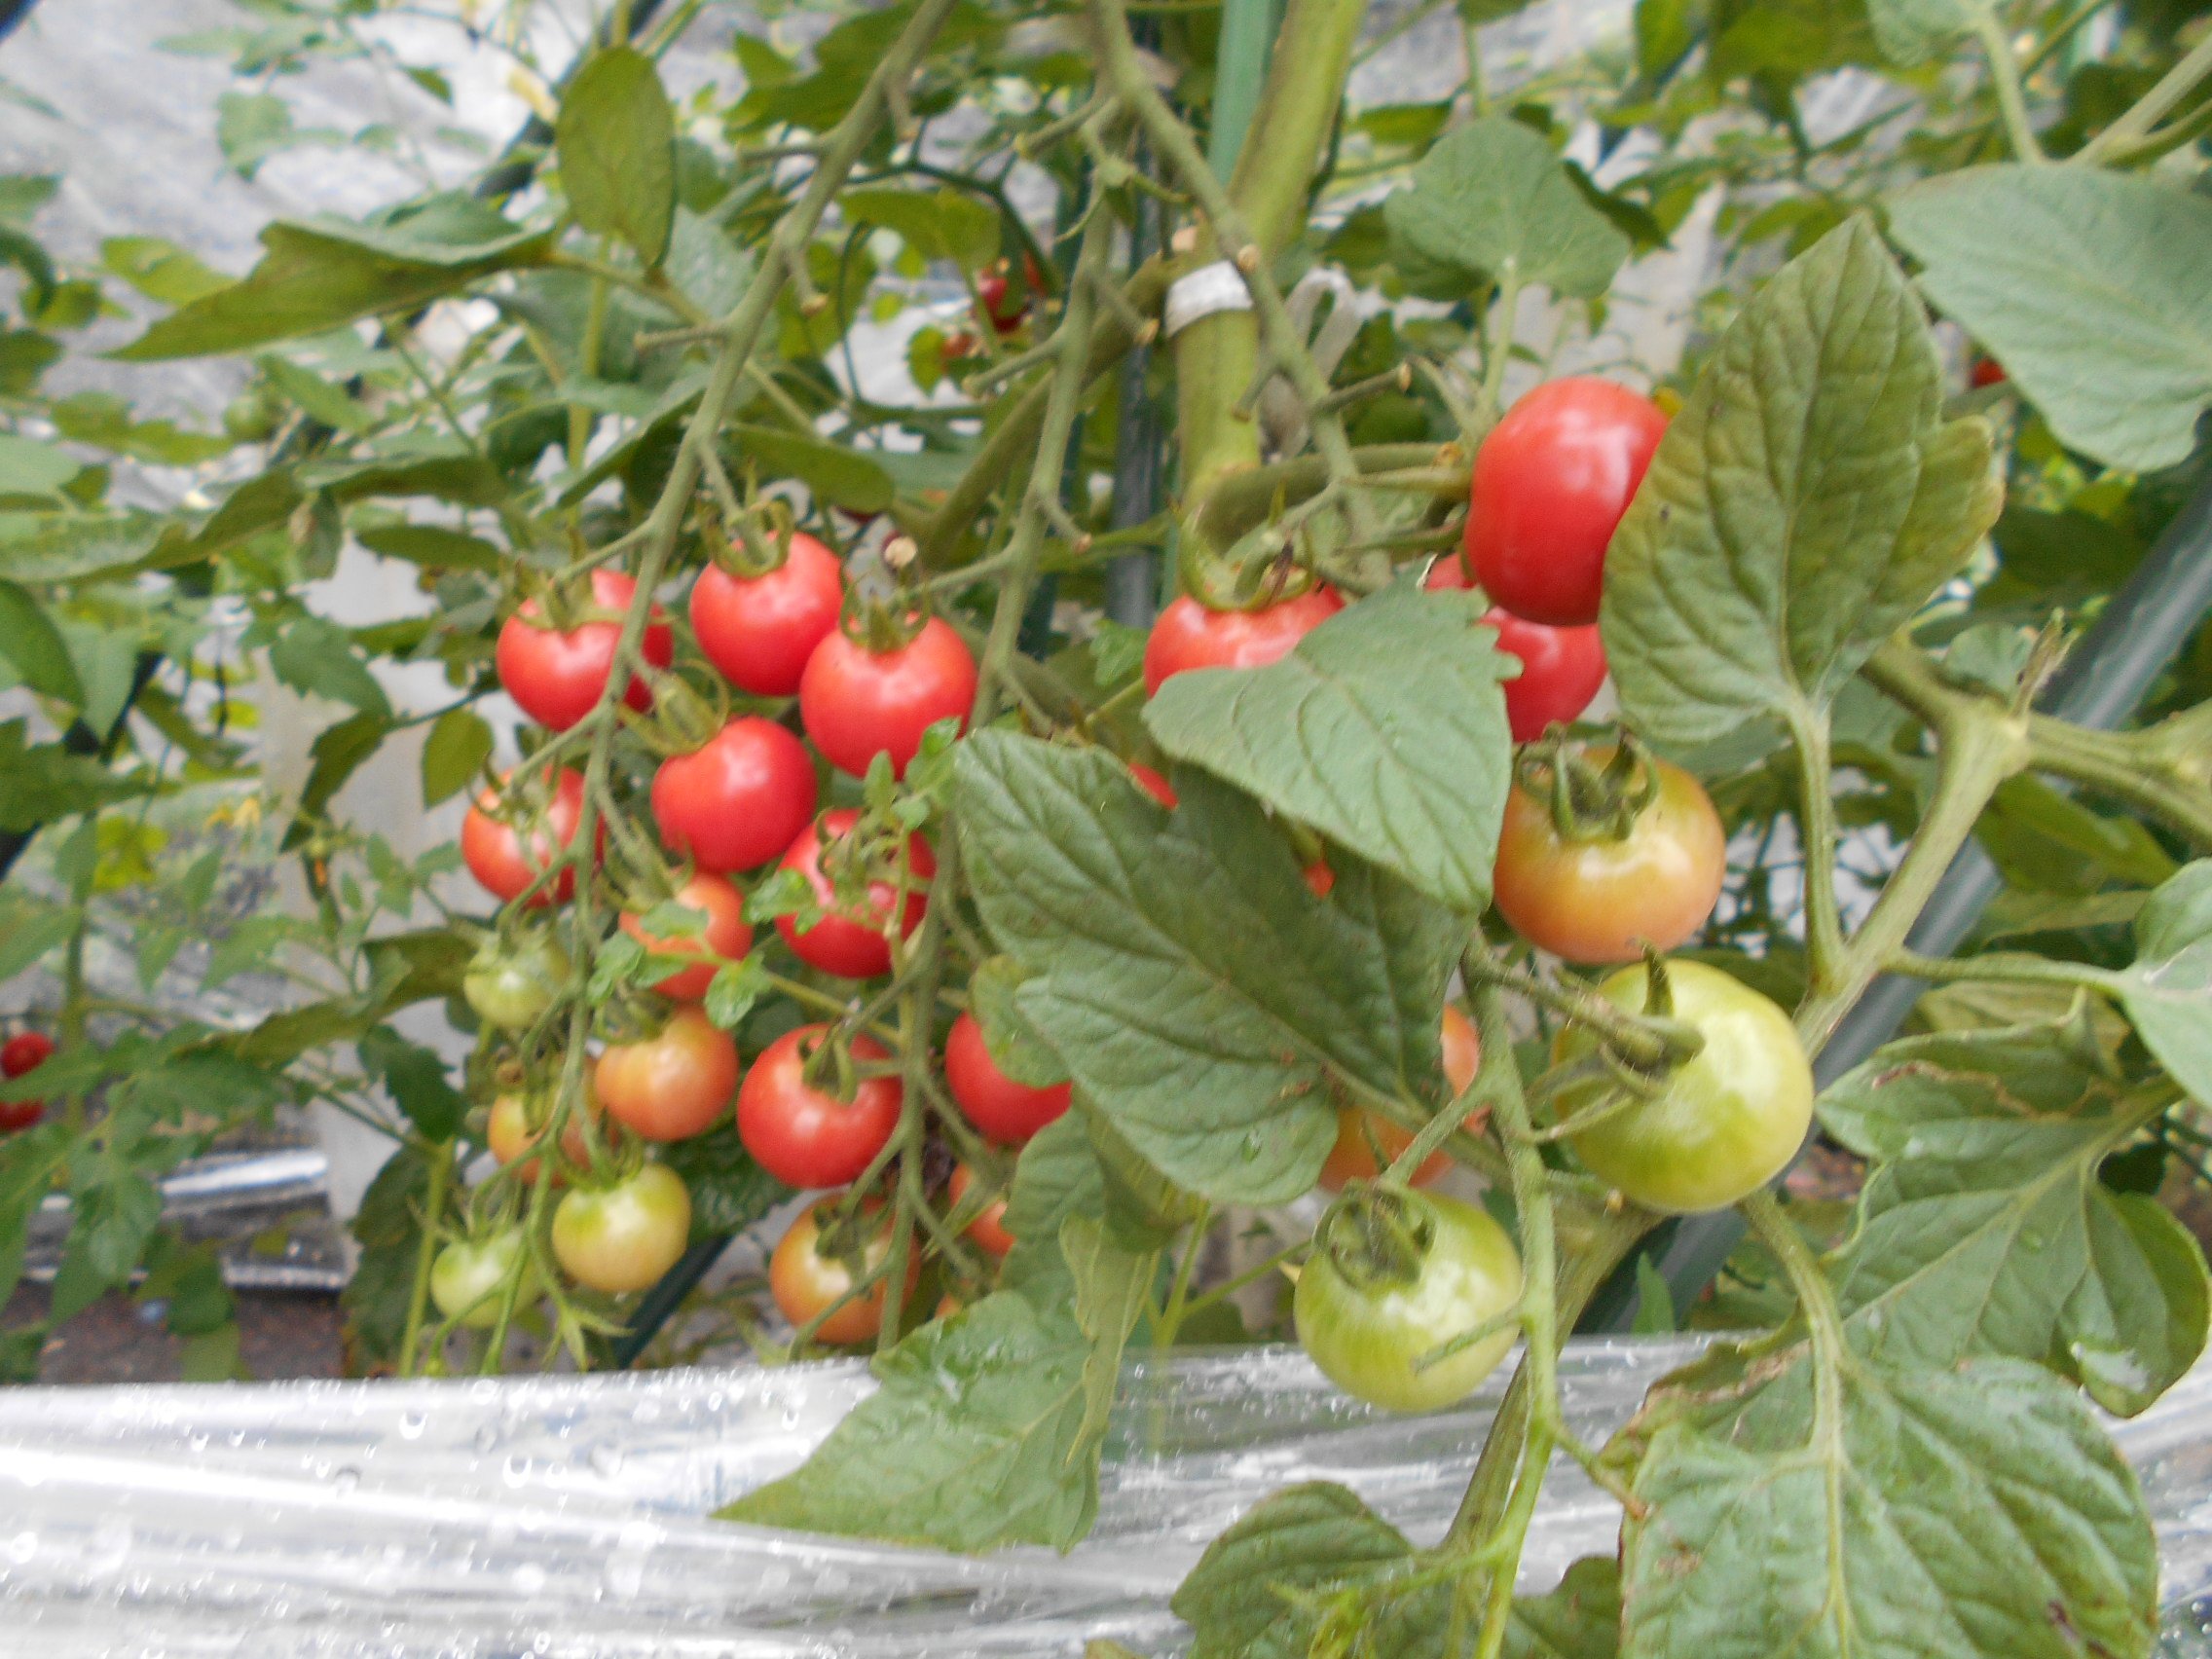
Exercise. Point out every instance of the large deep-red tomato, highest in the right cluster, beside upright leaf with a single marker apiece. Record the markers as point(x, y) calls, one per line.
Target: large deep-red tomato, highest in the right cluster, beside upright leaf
point(1552, 483)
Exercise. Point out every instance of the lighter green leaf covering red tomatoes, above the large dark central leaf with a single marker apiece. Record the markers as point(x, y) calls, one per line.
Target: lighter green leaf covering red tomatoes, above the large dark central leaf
point(1386, 731)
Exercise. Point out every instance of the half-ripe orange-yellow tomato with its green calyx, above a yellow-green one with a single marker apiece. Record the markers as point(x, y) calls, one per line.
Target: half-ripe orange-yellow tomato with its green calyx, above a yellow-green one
point(1607, 855)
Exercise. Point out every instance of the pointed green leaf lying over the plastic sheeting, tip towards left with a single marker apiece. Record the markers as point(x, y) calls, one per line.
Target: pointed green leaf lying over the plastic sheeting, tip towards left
point(977, 1439)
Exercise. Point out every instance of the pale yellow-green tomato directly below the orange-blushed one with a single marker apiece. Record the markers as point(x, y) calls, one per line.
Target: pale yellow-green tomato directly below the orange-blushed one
point(1729, 1120)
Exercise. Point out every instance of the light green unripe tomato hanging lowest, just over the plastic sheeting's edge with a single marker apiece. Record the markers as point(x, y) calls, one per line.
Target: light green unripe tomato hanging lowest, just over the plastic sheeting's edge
point(1395, 1275)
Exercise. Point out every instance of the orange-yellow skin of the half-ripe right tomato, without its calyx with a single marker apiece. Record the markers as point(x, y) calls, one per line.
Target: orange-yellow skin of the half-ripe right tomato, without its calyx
point(1605, 901)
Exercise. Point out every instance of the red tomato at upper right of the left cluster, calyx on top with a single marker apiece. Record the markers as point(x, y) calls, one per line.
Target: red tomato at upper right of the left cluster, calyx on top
point(859, 705)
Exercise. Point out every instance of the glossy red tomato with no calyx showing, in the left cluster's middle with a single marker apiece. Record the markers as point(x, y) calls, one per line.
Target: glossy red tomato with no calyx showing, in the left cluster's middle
point(738, 800)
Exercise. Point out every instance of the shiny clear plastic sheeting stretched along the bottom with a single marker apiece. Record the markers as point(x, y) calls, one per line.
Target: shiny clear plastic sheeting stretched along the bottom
point(565, 1516)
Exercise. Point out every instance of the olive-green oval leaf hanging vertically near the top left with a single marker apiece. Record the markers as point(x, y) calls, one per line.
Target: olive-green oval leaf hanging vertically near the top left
point(618, 152)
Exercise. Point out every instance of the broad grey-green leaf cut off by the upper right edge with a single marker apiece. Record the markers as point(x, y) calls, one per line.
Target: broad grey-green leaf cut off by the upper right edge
point(2087, 286)
